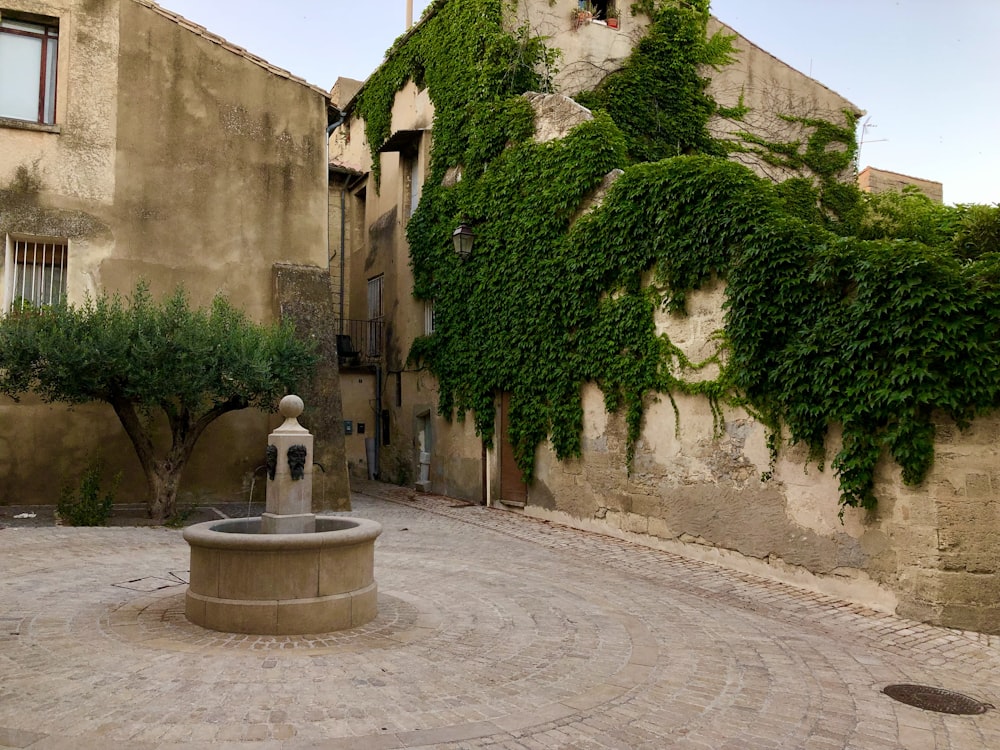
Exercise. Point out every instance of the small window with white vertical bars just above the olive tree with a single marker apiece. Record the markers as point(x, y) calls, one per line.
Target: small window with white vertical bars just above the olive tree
point(35, 273)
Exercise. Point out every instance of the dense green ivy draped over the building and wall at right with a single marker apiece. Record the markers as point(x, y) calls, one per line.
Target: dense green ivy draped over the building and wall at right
point(830, 318)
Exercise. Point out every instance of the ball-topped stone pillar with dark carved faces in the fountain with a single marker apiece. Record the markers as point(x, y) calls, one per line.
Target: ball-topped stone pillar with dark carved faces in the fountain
point(289, 475)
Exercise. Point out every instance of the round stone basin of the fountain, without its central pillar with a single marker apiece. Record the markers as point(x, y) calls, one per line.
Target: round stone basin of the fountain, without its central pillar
point(243, 581)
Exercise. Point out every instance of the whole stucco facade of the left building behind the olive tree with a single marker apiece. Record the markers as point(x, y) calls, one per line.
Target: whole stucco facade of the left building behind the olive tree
point(137, 145)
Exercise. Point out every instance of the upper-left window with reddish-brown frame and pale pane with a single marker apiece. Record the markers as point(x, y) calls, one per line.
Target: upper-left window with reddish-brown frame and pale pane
point(28, 70)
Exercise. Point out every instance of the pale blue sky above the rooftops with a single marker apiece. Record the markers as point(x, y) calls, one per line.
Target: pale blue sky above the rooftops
point(924, 71)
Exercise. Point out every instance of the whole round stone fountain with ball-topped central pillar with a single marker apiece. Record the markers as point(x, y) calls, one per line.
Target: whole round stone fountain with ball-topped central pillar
point(287, 572)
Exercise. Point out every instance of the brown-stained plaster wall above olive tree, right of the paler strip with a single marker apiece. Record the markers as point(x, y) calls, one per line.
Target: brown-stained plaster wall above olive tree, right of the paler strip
point(220, 169)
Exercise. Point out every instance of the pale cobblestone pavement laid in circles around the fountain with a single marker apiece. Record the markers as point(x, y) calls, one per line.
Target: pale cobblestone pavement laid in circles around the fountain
point(494, 631)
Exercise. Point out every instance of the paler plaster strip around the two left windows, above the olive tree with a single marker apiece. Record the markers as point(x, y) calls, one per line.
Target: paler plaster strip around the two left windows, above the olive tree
point(71, 165)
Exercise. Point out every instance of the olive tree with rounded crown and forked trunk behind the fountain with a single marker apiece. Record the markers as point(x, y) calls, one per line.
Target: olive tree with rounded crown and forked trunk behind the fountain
point(150, 359)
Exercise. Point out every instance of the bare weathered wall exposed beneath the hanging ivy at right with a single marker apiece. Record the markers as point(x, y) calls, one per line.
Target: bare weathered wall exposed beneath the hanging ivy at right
point(928, 552)
